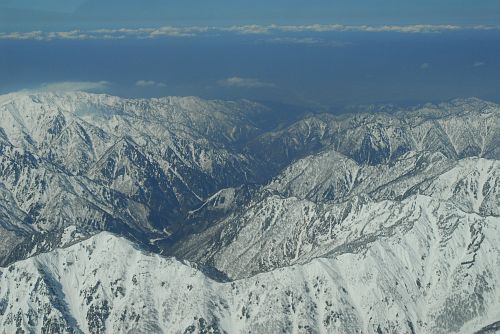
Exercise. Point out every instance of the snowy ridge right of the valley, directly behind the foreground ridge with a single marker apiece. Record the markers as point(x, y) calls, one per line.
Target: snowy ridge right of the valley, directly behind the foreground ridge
point(337, 210)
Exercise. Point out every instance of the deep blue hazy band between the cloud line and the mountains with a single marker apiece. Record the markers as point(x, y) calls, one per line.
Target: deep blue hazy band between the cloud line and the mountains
point(316, 69)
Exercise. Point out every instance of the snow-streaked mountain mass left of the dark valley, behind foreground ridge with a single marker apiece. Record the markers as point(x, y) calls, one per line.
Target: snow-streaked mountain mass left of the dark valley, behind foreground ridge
point(135, 167)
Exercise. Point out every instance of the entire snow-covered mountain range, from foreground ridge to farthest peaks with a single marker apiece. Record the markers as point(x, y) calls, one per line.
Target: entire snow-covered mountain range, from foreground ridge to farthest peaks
point(370, 222)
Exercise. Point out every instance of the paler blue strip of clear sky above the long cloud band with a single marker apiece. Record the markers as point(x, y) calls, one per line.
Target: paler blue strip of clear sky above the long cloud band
point(24, 15)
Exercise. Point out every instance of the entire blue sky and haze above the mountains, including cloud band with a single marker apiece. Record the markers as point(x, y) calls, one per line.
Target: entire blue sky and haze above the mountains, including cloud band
point(311, 52)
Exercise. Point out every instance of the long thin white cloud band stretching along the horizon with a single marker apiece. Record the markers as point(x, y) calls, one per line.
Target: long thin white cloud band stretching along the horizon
point(170, 31)
